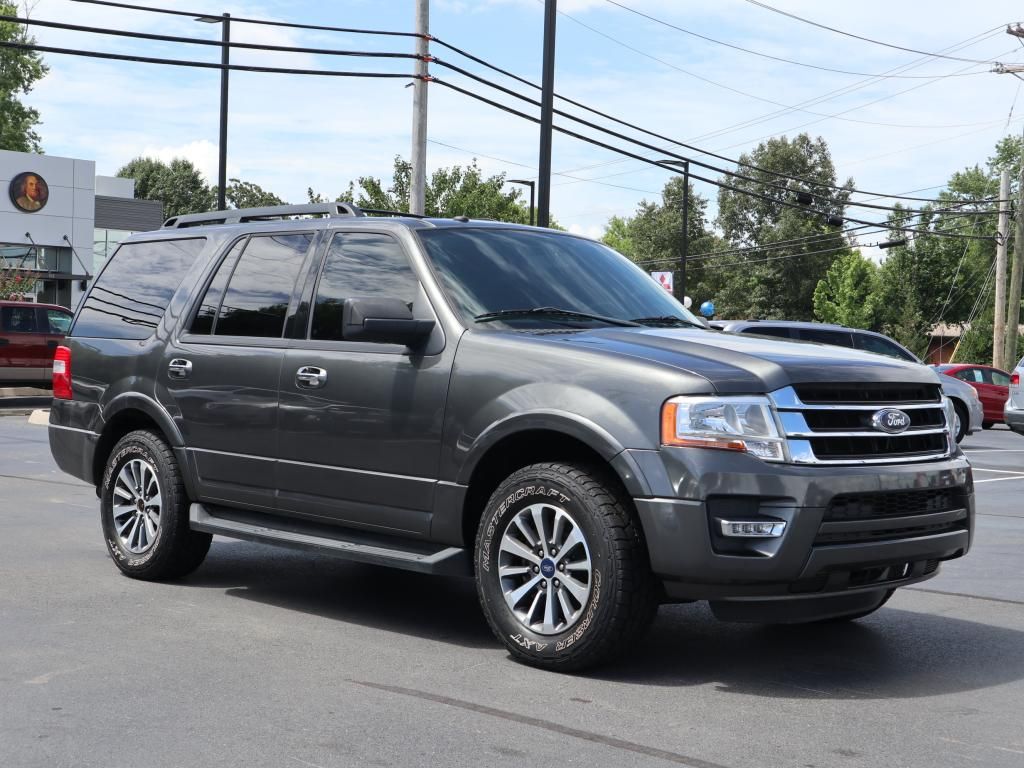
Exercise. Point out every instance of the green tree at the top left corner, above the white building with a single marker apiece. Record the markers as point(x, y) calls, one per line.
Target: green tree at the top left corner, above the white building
point(20, 69)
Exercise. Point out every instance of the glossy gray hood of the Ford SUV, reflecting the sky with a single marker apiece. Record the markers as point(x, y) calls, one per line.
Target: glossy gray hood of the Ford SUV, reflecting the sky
point(740, 364)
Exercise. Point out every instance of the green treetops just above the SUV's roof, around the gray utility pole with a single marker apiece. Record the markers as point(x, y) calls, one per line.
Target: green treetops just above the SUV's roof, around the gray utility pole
point(451, 192)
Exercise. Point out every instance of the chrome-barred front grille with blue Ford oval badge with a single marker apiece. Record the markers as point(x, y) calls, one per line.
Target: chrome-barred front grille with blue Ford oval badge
point(835, 423)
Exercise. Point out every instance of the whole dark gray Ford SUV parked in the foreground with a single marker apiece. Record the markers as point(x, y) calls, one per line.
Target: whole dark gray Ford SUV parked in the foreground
point(520, 406)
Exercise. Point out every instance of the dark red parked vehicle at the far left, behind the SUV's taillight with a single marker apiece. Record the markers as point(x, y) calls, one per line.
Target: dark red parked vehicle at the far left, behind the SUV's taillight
point(29, 335)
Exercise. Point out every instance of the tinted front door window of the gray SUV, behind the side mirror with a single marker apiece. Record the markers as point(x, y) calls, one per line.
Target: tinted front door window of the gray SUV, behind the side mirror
point(360, 266)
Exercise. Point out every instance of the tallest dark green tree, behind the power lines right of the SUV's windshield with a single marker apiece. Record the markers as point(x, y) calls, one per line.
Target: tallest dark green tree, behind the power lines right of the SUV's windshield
point(786, 251)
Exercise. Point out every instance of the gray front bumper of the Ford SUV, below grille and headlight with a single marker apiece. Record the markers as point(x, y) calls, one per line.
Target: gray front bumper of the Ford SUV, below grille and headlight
point(694, 488)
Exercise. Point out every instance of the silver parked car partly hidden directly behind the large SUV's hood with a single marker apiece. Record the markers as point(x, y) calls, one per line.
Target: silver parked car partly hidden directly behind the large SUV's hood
point(970, 416)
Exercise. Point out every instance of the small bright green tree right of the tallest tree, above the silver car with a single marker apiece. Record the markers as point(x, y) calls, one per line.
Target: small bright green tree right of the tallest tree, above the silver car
point(848, 293)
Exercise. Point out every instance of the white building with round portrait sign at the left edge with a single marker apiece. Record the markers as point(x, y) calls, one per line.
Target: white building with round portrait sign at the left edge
point(60, 222)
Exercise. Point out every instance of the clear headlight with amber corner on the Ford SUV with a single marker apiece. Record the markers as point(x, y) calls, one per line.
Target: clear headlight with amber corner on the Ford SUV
point(728, 423)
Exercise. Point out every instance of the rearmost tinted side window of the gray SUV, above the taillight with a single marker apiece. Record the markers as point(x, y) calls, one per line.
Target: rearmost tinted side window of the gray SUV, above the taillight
point(133, 293)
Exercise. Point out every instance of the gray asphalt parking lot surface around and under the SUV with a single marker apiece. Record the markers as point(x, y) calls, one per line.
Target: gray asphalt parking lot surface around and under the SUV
point(271, 658)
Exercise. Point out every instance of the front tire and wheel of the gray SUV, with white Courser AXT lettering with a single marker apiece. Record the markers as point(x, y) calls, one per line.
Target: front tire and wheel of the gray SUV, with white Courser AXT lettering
point(569, 609)
